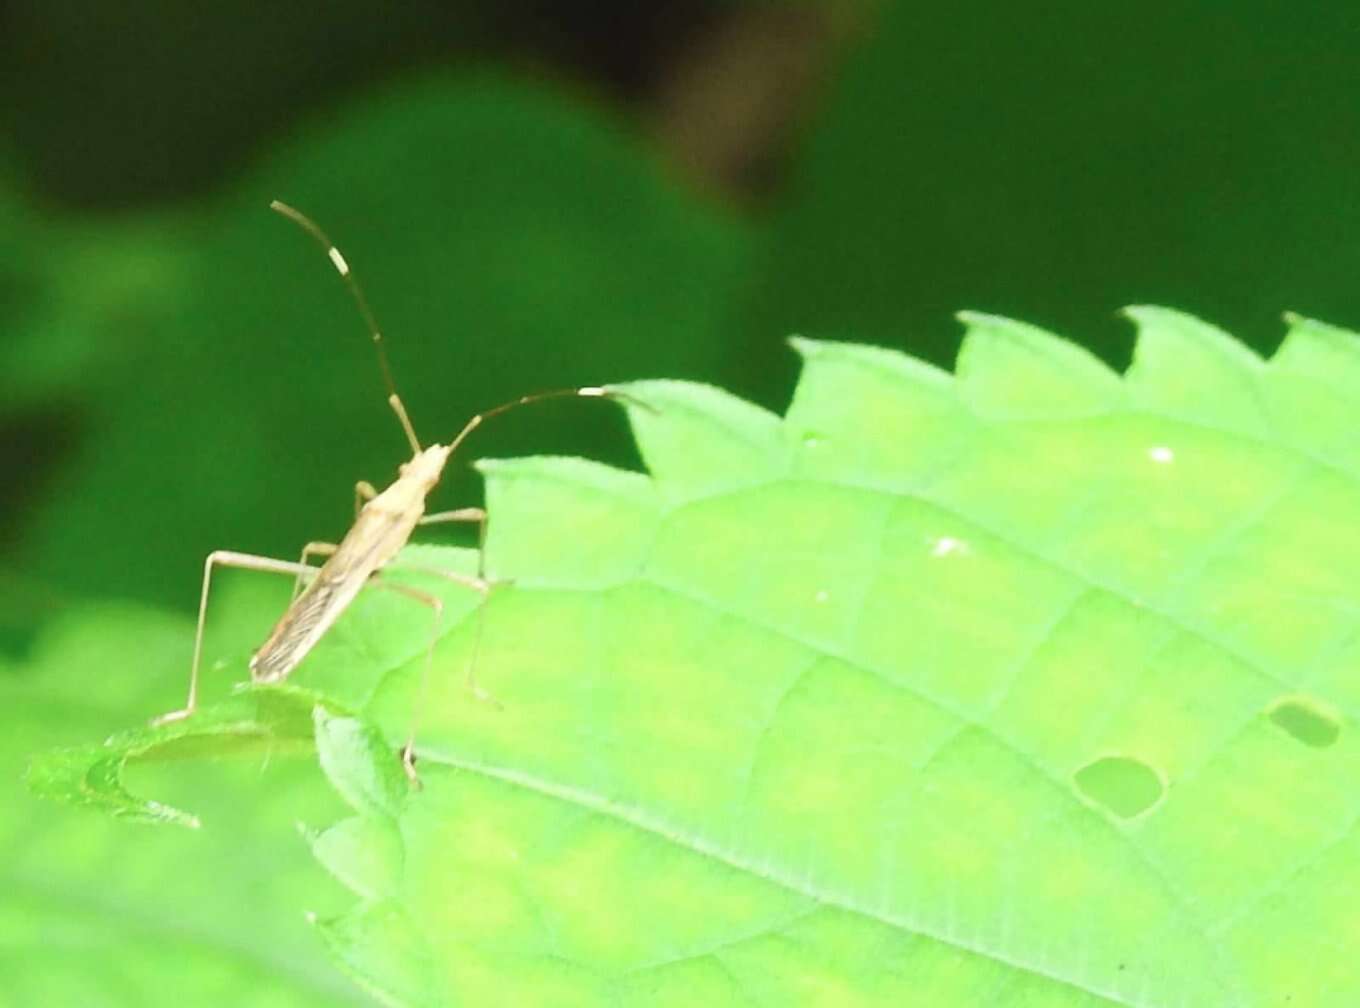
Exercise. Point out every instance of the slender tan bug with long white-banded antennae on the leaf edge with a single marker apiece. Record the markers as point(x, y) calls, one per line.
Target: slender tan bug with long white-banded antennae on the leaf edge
point(384, 522)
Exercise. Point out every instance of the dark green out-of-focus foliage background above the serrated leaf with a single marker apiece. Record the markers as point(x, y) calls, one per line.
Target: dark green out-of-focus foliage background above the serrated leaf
point(539, 195)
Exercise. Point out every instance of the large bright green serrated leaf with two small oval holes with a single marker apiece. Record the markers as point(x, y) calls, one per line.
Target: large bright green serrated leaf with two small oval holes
point(1032, 686)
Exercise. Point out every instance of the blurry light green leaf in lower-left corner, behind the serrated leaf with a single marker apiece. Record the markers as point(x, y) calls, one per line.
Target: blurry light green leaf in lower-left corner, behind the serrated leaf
point(103, 911)
